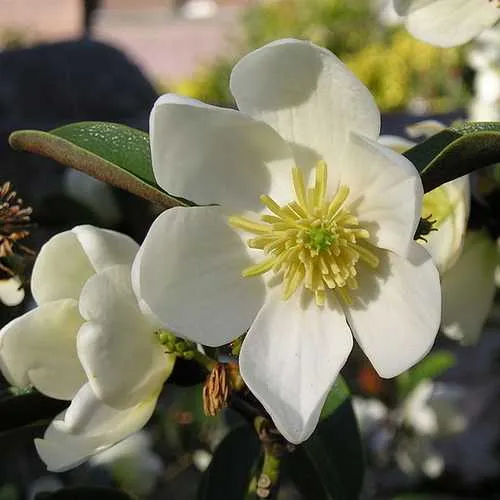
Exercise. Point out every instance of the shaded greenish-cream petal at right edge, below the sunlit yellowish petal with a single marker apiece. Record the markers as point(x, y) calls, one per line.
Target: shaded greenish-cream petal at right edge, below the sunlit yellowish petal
point(469, 287)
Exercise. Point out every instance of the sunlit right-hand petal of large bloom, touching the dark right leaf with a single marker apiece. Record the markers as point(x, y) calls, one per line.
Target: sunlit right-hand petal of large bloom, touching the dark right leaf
point(385, 193)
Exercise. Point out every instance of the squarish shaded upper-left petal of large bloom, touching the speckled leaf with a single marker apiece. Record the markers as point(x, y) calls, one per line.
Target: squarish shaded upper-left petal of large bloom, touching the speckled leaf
point(214, 155)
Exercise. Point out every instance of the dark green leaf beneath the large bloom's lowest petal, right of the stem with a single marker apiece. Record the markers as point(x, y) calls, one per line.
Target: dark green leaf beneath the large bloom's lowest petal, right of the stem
point(330, 464)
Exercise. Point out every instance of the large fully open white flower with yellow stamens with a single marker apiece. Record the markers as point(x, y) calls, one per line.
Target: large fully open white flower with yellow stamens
point(313, 241)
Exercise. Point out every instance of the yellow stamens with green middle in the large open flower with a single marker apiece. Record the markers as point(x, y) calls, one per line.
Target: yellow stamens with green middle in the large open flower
point(314, 241)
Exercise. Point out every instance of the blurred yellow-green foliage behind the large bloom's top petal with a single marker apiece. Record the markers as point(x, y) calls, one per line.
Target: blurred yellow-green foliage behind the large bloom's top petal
point(396, 68)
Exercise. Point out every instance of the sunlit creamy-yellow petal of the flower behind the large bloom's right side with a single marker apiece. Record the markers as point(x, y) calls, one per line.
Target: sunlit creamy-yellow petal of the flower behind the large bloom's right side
point(445, 244)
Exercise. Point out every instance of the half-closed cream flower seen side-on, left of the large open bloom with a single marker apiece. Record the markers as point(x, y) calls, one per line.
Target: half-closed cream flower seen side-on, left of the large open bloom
point(87, 342)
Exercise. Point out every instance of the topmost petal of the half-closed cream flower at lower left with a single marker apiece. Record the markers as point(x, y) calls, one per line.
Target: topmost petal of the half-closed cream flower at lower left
point(68, 260)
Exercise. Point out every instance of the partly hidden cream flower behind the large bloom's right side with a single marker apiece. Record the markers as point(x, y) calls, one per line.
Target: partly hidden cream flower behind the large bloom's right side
point(466, 260)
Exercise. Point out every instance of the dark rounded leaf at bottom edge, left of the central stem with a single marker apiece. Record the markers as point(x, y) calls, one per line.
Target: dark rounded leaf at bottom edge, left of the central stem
point(229, 472)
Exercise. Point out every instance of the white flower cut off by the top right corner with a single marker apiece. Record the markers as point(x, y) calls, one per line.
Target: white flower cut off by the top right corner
point(447, 22)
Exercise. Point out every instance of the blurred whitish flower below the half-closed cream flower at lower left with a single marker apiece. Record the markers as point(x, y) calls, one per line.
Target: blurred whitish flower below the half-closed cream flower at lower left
point(132, 463)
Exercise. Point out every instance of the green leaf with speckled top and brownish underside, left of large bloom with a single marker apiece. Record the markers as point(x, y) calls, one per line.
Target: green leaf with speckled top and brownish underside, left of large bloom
point(116, 154)
